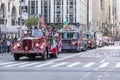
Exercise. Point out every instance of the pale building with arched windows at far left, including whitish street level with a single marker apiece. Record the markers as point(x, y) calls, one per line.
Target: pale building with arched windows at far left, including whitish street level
point(10, 18)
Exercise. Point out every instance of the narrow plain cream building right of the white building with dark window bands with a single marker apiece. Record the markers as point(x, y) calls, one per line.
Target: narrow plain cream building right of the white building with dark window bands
point(95, 14)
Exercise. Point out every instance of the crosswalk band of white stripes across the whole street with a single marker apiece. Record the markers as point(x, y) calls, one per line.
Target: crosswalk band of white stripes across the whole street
point(55, 64)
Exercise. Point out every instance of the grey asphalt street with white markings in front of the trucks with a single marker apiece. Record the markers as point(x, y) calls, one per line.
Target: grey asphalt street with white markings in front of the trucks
point(97, 64)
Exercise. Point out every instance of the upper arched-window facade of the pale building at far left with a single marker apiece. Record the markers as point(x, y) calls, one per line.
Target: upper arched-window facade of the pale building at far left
point(9, 12)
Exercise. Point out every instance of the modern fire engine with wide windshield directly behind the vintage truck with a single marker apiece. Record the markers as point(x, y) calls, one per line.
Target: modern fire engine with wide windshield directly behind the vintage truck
point(73, 39)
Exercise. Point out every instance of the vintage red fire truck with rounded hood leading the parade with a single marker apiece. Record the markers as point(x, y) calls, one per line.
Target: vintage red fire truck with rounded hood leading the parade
point(34, 43)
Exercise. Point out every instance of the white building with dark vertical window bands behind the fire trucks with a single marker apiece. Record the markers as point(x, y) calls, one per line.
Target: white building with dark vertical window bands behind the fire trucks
point(59, 11)
